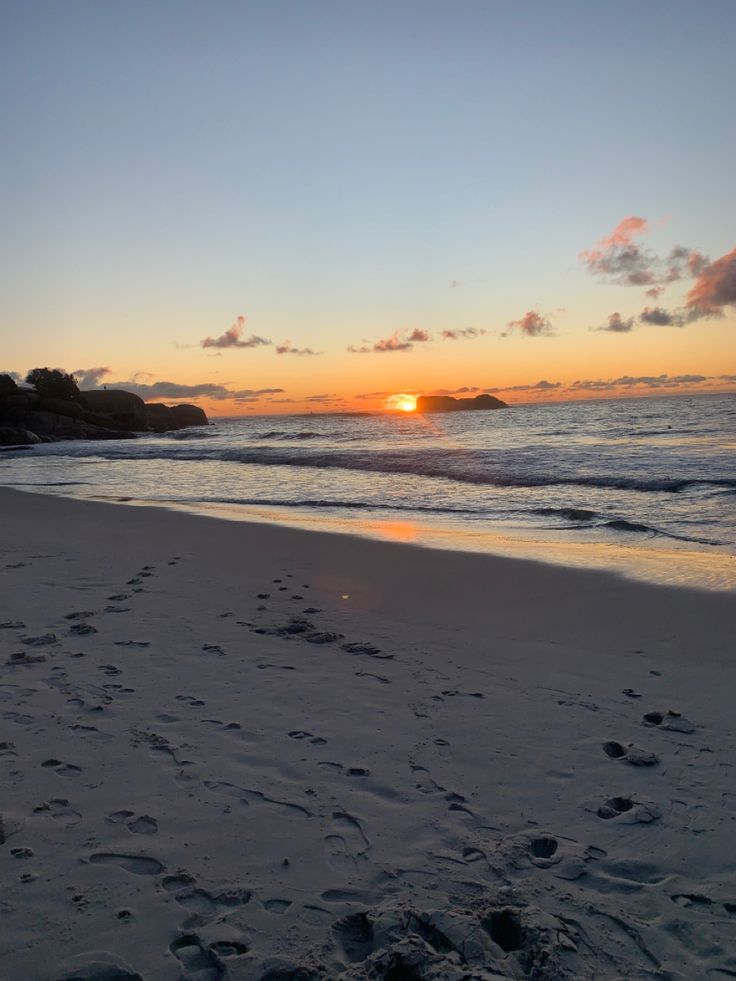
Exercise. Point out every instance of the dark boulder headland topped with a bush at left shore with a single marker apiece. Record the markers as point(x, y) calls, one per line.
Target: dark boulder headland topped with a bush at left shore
point(51, 408)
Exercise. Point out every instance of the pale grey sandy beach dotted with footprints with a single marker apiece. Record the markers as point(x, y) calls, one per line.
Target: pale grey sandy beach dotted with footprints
point(247, 752)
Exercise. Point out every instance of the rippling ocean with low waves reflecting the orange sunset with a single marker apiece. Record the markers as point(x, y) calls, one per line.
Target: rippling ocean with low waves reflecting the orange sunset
point(643, 487)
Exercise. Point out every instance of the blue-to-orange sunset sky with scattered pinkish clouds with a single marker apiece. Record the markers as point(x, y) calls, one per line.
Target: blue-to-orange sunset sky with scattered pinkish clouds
point(283, 206)
